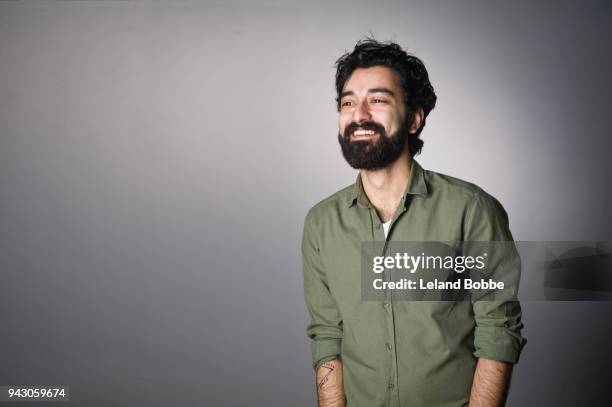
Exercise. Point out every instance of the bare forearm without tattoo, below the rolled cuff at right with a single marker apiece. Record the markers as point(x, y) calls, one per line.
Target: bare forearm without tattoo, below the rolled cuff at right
point(491, 383)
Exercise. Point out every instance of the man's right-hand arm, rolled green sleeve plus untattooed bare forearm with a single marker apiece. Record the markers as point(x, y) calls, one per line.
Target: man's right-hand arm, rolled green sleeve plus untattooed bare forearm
point(497, 337)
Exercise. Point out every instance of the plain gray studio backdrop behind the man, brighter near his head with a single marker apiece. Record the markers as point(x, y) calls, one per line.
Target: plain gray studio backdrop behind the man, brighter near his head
point(157, 160)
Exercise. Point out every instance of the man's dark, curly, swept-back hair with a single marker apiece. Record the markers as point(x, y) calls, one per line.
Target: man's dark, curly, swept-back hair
point(413, 76)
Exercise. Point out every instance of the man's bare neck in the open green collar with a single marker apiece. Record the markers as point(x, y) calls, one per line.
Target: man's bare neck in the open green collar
point(385, 187)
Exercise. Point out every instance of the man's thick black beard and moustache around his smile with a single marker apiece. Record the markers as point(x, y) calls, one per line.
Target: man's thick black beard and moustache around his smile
point(372, 154)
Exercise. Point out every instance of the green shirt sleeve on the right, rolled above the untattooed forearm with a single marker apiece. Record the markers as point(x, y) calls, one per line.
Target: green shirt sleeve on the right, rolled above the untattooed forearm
point(497, 334)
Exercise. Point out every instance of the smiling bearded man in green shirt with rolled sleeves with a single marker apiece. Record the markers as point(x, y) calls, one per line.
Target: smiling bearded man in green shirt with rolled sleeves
point(399, 353)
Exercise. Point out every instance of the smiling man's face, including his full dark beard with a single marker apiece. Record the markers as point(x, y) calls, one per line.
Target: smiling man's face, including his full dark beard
point(372, 124)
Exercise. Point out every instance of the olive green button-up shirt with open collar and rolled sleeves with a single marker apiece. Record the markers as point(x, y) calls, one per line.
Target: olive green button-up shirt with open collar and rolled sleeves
point(403, 353)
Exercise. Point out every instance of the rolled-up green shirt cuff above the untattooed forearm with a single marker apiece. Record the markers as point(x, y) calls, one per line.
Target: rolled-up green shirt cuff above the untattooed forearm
point(498, 343)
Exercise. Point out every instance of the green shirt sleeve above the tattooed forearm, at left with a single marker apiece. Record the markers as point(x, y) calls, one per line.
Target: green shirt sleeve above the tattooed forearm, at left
point(325, 327)
